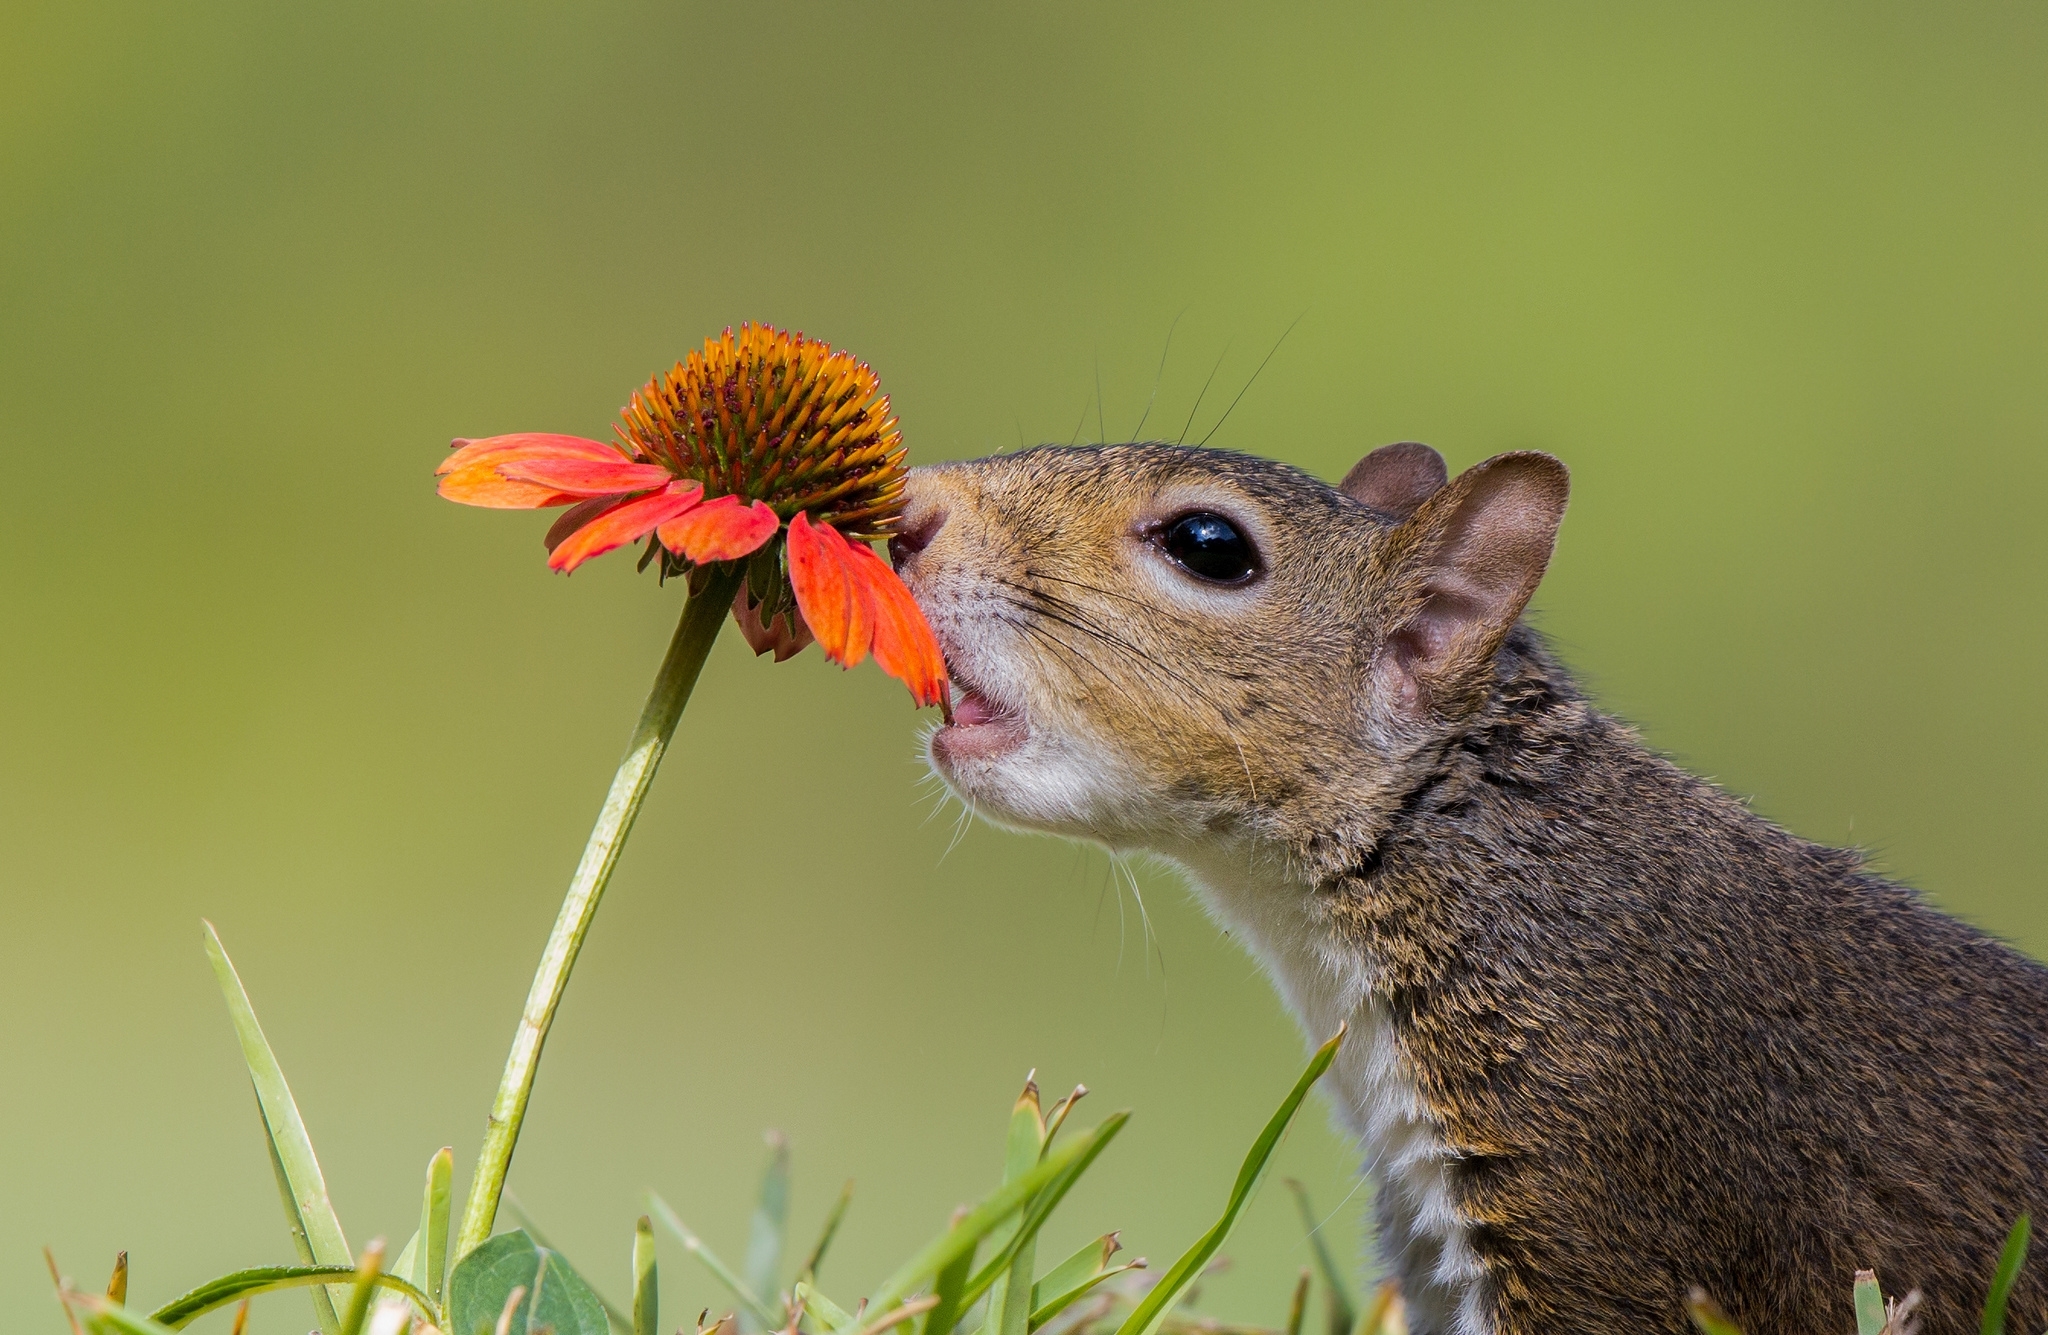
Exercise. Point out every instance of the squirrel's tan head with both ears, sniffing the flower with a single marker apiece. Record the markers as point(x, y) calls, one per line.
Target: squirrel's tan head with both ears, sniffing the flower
point(1158, 646)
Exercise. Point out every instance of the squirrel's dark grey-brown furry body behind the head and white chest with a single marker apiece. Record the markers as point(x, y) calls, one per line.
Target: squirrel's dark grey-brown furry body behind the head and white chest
point(1674, 1045)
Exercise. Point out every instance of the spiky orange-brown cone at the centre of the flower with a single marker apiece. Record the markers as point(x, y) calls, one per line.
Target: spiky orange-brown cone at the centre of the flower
point(779, 419)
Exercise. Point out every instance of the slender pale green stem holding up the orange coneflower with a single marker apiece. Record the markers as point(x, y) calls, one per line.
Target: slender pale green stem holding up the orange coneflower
point(701, 621)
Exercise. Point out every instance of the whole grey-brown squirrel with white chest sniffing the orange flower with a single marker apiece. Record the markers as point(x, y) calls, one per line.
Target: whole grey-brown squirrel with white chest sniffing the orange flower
point(1611, 1033)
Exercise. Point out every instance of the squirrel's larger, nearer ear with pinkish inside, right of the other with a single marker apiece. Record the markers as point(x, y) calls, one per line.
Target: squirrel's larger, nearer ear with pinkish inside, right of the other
point(1461, 572)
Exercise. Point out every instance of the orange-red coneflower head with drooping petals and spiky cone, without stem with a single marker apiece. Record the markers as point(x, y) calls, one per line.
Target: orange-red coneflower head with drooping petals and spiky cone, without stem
point(763, 447)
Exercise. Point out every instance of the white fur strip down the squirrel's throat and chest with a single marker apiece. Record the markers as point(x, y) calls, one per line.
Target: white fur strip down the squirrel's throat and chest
point(1422, 1238)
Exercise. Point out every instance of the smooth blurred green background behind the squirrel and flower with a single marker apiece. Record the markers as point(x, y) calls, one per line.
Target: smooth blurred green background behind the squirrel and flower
point(1770, 277)
